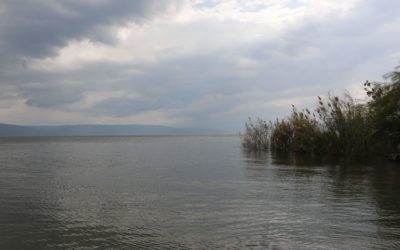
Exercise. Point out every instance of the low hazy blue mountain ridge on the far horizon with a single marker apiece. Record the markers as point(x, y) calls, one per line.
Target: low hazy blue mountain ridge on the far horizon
point(97, 130)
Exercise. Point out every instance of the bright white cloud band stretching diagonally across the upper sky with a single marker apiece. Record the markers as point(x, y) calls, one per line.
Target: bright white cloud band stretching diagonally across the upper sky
point(194, 30)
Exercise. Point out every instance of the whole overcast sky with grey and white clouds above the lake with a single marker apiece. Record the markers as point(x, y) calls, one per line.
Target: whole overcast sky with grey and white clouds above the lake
point(186, 63)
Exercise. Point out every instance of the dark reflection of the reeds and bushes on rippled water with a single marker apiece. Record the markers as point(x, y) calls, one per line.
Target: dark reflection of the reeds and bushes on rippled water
point(352, 203)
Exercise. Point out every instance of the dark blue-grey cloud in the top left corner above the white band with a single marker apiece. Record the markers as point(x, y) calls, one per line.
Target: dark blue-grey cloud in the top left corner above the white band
point(37, 28)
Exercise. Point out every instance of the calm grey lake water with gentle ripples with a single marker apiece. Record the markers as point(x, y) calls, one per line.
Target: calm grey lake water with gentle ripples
point(189, 192)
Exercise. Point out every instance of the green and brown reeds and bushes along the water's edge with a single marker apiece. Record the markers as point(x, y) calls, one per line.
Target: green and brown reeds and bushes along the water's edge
point(338, 126)
